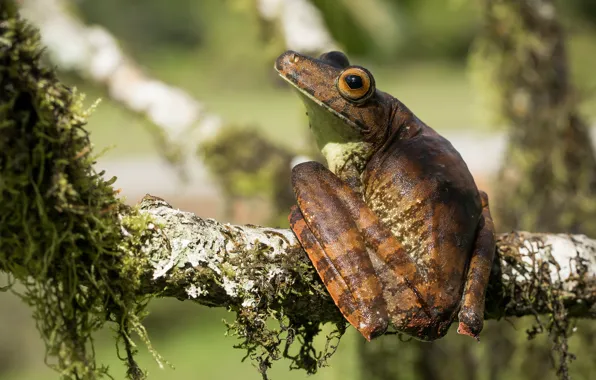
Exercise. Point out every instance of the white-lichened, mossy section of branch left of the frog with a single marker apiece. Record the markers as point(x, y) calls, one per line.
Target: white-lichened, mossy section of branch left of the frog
point(260, 273)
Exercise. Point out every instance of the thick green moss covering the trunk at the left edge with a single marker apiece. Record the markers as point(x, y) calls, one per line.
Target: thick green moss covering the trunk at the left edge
point(62, 234)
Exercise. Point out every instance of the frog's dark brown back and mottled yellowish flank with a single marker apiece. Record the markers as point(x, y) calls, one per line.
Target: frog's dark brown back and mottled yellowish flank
point(422, 190)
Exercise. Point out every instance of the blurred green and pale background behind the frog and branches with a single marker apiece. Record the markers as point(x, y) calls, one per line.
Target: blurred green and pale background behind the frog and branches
point(221, 52)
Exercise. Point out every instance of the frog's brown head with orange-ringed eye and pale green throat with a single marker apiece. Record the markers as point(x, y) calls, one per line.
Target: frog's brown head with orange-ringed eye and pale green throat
point(342, 101)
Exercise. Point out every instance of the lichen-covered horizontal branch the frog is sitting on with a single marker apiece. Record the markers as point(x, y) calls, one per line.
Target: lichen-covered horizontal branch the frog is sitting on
point(245, 266)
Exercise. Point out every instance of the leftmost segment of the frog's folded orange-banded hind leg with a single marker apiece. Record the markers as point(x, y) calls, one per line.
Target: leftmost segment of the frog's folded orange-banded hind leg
point(324, 202)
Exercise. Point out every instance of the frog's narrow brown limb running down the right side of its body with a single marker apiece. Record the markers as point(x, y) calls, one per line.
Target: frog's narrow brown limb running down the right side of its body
point(471, 314)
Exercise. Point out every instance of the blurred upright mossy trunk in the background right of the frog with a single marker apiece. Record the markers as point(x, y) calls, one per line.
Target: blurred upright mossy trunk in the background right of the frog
point(523, 65)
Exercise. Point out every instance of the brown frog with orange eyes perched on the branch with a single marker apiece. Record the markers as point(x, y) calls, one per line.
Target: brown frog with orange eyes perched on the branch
point(394, 224)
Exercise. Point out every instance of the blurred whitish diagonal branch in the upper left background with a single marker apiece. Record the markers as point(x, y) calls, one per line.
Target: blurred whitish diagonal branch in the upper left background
point(181, 122)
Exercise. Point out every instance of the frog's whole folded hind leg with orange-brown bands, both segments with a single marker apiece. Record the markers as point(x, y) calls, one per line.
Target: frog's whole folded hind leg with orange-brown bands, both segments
point(350, 236)
